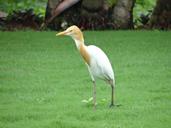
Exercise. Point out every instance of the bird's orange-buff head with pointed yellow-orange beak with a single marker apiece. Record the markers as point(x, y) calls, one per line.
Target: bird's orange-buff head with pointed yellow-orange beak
point(73, 32)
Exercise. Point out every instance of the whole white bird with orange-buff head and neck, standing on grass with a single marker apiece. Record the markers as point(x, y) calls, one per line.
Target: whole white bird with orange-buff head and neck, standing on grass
point(96, 60)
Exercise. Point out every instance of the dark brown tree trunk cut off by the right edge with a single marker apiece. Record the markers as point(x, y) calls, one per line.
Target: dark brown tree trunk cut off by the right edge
point(161, 17)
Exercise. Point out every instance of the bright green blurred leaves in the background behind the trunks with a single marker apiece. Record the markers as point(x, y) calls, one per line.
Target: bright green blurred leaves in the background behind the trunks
point(39, 7)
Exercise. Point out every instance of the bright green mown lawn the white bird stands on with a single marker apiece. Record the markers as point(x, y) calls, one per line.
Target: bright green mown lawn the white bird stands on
point(43, 81)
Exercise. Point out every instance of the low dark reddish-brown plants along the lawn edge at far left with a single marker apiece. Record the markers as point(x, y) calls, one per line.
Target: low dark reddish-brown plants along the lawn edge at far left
point(21, 19)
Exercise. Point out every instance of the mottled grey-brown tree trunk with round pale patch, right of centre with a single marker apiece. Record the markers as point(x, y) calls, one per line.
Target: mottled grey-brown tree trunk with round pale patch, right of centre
point(123, 14)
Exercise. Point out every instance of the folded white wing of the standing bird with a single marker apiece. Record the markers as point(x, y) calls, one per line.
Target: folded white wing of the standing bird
point(102, 62)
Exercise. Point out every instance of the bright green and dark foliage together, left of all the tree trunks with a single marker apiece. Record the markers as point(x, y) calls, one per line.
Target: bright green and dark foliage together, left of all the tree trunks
point(22, 14)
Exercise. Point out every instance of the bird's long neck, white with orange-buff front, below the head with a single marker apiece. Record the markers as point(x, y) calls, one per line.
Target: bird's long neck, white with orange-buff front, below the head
point(82, 48)
